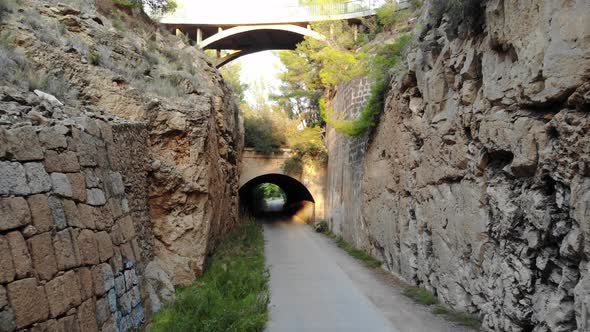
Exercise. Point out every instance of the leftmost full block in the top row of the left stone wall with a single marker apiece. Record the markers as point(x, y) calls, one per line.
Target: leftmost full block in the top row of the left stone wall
point(24, 144)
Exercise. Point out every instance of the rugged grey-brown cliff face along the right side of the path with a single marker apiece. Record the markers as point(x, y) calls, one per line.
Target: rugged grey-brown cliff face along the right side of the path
point(476, 182)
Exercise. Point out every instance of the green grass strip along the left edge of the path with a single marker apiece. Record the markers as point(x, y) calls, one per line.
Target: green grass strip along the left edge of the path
point(232, 294)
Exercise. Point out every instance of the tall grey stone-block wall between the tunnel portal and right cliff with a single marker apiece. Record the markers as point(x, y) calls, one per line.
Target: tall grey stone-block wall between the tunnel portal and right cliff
point(345, 163)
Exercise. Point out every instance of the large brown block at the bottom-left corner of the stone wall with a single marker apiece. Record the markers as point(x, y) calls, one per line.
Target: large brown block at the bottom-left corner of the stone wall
point(28, 301)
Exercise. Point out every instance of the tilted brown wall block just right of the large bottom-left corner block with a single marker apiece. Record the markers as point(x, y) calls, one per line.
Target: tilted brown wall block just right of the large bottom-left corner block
point(63, 293)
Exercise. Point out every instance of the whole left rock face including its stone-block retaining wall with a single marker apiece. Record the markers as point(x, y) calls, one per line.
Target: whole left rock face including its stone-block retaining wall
point(139, 132)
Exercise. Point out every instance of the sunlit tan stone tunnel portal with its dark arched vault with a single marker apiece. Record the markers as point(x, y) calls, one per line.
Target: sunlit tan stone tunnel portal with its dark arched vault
point(305, 192)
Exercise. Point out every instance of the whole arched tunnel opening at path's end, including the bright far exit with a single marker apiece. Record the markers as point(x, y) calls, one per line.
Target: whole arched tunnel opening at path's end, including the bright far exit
point(276, 195)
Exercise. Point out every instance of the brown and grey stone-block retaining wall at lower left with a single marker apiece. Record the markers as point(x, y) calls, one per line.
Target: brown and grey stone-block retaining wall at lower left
point(69, 250)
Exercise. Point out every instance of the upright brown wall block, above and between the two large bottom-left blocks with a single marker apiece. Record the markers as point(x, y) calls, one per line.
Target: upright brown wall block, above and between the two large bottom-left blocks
point(43, 256)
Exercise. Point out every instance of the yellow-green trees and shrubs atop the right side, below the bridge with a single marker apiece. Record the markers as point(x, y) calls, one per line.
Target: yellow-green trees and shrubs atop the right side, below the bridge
point(343, 58)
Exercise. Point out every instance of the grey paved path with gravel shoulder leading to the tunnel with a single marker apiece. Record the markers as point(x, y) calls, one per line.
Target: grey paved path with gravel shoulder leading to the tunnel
point(316, 286)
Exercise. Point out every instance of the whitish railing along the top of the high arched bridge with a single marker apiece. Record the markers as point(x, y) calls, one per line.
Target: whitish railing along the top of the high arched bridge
point(191, 12)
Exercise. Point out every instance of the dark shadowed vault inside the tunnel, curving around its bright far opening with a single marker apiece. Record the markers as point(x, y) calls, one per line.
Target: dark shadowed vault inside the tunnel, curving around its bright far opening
point(299, 201)
